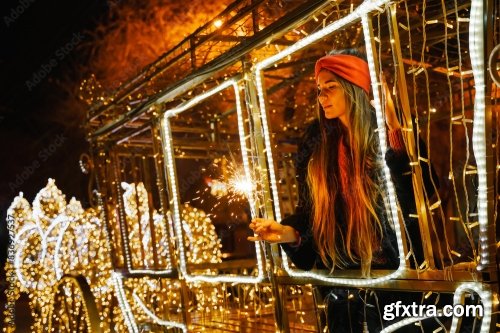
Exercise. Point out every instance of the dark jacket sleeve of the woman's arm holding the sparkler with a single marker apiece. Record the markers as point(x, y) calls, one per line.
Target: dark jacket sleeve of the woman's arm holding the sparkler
point(304, 254)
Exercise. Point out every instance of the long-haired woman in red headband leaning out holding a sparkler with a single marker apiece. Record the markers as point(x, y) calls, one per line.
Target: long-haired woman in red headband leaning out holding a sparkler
point(340, 221)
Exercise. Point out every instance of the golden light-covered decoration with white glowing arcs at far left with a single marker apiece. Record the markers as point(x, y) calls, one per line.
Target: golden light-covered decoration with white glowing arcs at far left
point(52, 239)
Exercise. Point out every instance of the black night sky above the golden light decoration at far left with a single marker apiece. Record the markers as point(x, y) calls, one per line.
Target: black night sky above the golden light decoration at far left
point(41, 42)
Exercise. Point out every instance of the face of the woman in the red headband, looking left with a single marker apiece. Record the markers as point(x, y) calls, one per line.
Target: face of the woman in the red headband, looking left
point(331, 96)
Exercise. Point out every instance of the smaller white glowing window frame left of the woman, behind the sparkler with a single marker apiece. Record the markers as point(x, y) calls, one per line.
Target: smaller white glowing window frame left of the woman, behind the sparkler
point(170, 162)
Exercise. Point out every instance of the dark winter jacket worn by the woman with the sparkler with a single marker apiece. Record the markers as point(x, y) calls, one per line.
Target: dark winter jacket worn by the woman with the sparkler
point(305, 256)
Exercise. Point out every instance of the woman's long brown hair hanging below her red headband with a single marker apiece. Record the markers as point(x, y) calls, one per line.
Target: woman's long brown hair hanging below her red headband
point(360, 236)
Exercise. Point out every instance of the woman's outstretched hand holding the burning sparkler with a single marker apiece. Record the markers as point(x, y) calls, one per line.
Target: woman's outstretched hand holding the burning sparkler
point(272, 232)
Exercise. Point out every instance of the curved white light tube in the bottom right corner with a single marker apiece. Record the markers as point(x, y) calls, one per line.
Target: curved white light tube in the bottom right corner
point(486, 299)
